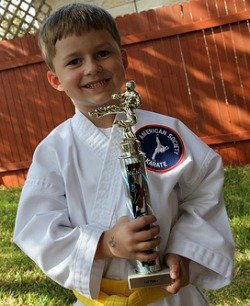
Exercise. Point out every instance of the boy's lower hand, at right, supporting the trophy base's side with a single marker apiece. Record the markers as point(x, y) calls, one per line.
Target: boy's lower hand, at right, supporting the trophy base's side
point(179, 272)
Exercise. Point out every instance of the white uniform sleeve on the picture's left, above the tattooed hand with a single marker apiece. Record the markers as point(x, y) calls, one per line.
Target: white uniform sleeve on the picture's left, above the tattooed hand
point(44, 231)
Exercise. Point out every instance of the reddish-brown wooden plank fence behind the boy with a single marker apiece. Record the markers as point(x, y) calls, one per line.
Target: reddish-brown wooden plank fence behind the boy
point(189, 60)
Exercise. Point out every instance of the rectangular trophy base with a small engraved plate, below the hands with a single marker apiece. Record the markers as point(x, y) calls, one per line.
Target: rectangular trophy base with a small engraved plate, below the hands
point(136, 280)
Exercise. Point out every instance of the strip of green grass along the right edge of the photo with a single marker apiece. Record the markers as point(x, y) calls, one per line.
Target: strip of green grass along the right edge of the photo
point(237, 196)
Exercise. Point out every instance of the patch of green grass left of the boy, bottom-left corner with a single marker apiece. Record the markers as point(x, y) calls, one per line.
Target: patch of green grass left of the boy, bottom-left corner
point(21, 281)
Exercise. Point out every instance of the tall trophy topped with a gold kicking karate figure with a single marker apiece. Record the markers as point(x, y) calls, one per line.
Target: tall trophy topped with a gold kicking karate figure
point(145, 274)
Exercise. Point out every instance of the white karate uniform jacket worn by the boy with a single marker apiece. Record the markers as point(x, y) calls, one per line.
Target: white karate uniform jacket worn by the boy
point(74, 191)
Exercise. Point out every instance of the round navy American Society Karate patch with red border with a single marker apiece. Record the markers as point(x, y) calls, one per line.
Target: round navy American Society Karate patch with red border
point(162, 146)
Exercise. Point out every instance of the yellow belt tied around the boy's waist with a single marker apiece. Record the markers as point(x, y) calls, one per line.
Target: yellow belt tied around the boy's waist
point(117, 293)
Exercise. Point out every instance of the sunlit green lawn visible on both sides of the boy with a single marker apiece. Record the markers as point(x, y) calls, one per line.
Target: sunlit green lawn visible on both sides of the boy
point(22, 283)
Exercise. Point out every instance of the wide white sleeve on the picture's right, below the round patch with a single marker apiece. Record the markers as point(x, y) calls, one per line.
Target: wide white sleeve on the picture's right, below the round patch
point(202, 232)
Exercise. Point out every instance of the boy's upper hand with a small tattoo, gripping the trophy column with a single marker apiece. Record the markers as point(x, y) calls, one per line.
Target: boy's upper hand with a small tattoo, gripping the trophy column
point(130, 239)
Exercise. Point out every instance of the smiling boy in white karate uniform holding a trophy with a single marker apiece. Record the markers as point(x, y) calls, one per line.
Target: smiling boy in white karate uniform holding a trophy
point(72, 219)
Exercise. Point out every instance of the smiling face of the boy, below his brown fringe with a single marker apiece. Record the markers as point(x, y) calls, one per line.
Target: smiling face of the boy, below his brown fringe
point(89, 68)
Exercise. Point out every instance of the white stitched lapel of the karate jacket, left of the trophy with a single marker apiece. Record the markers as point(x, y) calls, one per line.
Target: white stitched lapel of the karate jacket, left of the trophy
point(110, 190)
